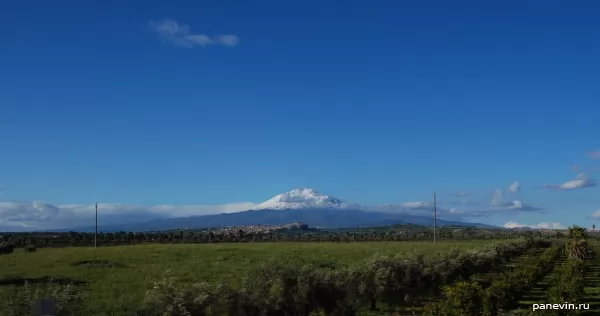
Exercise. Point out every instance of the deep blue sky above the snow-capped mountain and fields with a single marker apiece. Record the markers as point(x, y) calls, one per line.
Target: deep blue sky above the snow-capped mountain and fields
point(215, 102)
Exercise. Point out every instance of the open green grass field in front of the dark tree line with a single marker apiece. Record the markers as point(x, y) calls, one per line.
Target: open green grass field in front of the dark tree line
point(119, 290)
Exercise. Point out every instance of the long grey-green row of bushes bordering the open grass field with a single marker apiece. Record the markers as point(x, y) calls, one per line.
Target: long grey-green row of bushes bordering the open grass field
point(278, 288)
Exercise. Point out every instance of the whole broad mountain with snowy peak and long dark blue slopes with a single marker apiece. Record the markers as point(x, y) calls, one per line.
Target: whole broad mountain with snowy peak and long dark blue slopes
point(299, 205)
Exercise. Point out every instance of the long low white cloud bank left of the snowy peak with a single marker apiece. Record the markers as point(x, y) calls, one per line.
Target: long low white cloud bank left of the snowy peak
point(40, 215)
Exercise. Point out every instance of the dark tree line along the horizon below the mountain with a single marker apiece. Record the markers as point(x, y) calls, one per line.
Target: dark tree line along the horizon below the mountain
point(240, 236)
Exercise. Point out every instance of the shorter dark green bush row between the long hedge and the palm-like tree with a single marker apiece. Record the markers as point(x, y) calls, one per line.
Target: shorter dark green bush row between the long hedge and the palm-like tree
point(469, 298)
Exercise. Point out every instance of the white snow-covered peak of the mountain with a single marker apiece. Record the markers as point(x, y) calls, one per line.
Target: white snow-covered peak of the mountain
point(303, 198)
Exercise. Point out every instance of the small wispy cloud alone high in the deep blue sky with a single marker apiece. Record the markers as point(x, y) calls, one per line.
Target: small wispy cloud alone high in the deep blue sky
point(181, 35)
